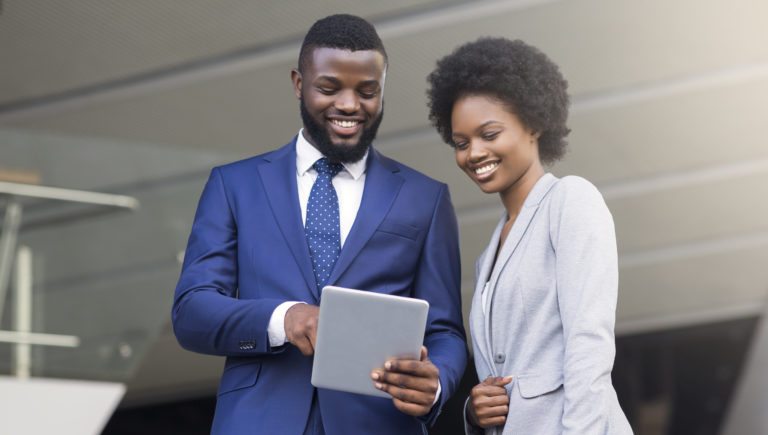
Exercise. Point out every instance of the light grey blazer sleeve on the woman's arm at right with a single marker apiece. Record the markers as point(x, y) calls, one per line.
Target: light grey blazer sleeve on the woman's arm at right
point(584, 241)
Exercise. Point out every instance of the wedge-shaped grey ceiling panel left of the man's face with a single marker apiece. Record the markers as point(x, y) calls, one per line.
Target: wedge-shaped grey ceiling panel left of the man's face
point(247, 113)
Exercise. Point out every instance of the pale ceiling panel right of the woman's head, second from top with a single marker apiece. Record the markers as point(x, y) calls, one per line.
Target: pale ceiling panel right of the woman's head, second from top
point(717, 125)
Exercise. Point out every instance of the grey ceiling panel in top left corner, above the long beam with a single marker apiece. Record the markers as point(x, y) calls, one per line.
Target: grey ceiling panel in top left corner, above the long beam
point(51, 46)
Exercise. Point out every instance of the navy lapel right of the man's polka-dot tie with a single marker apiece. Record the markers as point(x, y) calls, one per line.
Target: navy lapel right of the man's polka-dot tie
point(381, 188)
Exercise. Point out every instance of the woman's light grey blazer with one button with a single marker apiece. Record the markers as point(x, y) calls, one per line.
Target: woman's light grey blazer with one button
point(549, 313)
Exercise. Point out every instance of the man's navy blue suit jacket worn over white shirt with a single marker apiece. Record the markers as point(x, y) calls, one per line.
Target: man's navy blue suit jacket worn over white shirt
point(247, 254)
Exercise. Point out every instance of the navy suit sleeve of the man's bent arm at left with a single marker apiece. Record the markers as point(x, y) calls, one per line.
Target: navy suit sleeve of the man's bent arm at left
point(207, 315)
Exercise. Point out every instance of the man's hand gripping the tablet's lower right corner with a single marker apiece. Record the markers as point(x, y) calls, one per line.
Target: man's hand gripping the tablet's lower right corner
point(412, 384)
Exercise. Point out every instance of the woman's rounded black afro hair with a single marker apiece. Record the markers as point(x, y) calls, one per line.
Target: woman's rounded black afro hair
point(518, 75)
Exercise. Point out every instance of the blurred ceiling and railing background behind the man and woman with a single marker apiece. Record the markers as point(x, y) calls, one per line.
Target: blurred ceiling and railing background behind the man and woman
point(138, 100)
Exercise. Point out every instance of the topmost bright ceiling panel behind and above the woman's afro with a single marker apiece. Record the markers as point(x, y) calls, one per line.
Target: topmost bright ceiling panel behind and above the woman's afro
point(600, 45)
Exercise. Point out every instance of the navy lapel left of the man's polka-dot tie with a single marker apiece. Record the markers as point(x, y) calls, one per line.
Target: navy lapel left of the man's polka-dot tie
point(279, 179)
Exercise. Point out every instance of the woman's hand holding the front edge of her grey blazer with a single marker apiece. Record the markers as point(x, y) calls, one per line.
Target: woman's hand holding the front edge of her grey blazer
point(488, 402)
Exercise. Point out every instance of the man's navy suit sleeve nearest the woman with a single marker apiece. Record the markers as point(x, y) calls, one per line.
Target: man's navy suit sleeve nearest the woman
point(439, 282)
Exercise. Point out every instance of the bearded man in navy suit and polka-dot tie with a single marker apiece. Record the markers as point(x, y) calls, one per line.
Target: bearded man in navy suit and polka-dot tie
point(251, 281)
